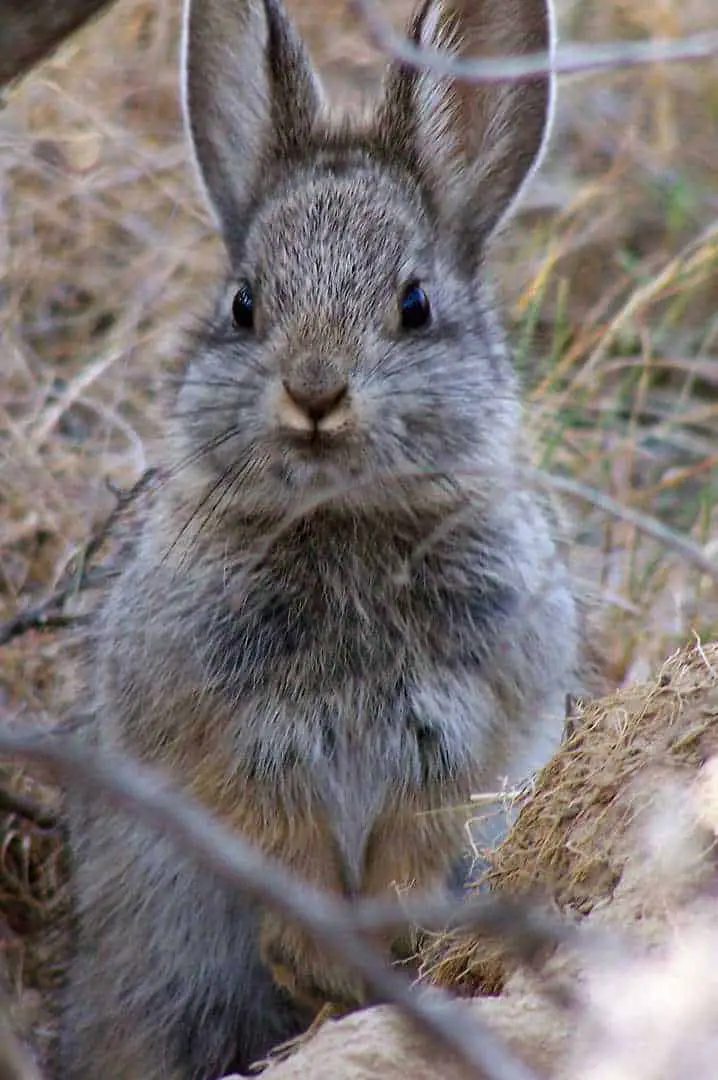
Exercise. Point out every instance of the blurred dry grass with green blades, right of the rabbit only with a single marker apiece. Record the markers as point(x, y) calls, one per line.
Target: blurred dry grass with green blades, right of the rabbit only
point(618, 288)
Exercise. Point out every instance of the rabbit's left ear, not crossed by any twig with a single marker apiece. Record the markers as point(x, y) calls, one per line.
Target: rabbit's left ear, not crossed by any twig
point(250, 96)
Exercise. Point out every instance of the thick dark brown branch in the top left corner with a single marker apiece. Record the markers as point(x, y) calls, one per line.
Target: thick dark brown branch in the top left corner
point(32, 30)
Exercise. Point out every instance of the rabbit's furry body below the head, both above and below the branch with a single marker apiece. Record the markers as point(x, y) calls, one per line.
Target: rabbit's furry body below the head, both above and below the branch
point(341, 719)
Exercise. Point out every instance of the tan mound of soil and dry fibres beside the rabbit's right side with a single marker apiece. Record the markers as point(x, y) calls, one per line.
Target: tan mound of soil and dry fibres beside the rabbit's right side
point(615, 780)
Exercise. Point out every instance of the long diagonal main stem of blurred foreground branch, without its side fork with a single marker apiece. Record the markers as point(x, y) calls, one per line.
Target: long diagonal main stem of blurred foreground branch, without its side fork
point(328, 921)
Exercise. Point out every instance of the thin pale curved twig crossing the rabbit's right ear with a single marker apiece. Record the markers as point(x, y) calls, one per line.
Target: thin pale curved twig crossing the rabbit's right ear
point(572, 59)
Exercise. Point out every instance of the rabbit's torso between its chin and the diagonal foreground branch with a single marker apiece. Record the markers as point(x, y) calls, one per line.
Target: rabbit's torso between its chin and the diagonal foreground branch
point(384, 697)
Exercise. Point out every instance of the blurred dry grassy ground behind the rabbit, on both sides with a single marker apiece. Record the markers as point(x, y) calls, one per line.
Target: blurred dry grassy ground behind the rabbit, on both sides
point(611, 277)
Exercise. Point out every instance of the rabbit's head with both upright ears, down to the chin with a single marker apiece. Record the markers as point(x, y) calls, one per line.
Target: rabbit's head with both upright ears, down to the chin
point(355, 343)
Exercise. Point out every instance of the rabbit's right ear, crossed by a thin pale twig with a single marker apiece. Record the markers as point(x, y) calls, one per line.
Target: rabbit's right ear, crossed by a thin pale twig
point(476, 144)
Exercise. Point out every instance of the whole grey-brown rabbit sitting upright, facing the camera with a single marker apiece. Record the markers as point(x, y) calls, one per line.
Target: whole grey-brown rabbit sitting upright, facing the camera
point(346, 609)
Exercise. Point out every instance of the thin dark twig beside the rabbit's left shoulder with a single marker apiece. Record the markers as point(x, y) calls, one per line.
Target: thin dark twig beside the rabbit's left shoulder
point(48, 614)
